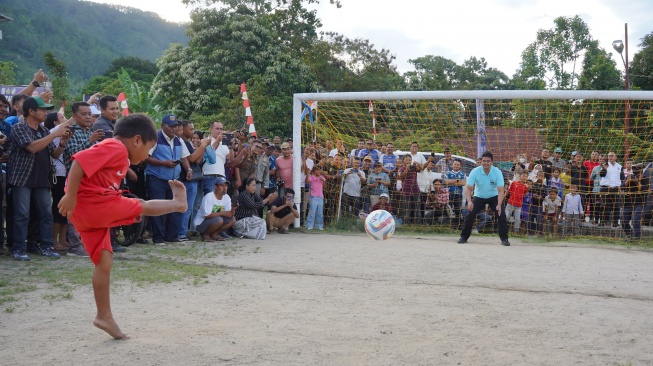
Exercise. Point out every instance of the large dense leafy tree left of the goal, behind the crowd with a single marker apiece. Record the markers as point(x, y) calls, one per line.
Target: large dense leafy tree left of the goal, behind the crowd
point(229, 47)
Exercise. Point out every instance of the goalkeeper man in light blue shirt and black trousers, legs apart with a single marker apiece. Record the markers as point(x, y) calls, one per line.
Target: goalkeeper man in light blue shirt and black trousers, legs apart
point(487, 183)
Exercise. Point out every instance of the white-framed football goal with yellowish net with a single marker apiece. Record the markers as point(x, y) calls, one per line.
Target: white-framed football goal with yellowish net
point(558, 138)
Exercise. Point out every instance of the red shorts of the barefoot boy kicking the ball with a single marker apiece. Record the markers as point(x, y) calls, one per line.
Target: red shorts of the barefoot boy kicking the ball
point(93, 220)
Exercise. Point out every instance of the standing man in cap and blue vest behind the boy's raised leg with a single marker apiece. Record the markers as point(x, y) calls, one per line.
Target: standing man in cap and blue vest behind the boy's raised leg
point(164, 164)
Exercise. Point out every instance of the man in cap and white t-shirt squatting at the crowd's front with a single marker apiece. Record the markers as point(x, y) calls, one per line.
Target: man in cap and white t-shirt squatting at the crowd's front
point(216, 213)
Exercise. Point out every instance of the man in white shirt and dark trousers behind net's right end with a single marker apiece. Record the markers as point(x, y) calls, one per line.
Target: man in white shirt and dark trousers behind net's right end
point(611, 175)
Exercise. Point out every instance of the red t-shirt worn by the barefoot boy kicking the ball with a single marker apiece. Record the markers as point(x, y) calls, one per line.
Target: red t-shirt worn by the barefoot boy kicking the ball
point(105, 165)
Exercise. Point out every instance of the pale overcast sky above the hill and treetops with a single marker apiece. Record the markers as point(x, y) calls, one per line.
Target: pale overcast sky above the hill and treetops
point(498, 30)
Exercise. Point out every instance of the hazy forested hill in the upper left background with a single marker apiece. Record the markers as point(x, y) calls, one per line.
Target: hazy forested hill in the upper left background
point(85, 36)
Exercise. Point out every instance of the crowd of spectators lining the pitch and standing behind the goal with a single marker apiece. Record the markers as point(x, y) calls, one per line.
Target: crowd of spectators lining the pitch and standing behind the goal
point(242, 185)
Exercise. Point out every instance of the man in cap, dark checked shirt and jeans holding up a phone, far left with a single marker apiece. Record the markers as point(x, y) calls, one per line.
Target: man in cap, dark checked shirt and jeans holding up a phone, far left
point(29, 175)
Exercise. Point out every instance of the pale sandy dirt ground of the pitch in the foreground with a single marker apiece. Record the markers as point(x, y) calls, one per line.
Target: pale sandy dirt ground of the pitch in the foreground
point(311, 299)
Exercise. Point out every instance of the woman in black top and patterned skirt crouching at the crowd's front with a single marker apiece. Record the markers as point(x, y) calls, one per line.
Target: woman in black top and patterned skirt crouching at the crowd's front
point(248, 224)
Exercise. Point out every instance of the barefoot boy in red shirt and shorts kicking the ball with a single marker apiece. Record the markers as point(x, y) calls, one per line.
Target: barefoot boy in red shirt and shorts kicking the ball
point(93, 202)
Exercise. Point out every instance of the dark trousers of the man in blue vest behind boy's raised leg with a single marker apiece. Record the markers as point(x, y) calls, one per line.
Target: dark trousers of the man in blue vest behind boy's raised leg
point(165, 227)
